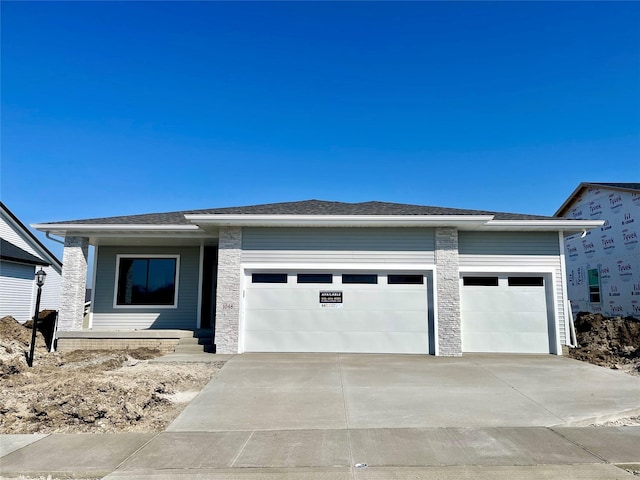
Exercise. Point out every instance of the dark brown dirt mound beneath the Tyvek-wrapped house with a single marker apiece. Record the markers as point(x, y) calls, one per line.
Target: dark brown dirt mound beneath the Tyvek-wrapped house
point(612, 342)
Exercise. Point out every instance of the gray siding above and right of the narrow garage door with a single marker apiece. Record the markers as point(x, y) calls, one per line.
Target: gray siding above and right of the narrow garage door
point(516, 251)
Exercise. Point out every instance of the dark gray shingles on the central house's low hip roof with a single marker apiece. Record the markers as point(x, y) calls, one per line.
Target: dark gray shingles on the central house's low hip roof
point(307, 207)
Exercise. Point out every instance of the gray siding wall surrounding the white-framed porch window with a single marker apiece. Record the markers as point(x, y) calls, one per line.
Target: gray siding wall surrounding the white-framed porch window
point(185, 316)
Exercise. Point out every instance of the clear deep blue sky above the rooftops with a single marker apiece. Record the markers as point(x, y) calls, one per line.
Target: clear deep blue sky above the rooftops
point(115, 108)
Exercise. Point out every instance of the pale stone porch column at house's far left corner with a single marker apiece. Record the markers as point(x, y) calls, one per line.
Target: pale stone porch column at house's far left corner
point(74, 283)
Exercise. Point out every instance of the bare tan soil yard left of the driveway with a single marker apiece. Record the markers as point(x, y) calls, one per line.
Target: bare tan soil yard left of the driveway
point(82, 391)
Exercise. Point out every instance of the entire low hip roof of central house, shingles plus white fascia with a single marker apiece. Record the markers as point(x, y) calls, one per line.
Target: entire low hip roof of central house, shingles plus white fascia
point(312, 213)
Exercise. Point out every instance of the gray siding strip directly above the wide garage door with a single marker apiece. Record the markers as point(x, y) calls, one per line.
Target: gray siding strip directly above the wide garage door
point(338, 245)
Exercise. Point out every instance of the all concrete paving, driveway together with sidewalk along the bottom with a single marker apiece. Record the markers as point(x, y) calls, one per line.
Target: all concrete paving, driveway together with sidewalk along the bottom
point(318, 416)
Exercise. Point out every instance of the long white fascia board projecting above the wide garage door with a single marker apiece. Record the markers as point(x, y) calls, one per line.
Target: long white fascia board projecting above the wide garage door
point(338, 220)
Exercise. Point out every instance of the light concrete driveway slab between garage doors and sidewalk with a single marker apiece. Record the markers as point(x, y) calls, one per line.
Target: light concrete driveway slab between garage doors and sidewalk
point(345, 391)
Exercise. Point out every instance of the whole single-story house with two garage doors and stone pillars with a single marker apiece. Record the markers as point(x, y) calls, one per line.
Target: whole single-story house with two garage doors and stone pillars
point(320, 276)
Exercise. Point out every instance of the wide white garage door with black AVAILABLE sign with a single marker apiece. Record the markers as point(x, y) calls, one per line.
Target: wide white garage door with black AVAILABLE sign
point(336, 312)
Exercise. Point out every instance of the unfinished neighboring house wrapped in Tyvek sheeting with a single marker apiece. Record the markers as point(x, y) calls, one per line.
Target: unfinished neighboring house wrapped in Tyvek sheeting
point(603, 264)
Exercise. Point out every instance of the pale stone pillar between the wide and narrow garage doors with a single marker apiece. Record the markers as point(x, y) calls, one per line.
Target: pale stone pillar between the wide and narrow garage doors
point(448, 292)
